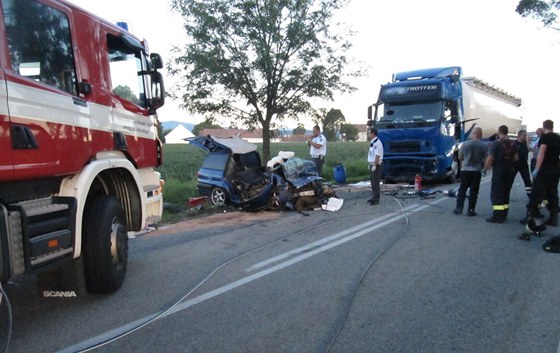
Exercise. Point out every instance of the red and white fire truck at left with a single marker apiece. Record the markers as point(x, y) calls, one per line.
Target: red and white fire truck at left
point(78, 141)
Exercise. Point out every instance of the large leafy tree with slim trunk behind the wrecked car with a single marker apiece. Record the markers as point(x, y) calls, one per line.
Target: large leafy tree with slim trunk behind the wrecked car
point(260, 61)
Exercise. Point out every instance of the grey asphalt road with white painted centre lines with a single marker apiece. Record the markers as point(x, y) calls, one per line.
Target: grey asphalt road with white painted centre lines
point(403, 276)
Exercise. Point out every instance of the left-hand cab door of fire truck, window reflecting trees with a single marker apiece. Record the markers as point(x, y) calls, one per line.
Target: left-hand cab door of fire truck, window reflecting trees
point(50, 123)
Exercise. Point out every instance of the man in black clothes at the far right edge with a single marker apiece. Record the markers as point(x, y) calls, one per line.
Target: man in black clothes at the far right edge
point(546, 175)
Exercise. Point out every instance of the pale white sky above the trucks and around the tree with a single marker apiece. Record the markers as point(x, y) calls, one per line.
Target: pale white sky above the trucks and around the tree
point(488, 39)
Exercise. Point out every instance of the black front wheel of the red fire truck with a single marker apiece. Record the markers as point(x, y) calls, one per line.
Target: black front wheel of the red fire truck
point(105, 245)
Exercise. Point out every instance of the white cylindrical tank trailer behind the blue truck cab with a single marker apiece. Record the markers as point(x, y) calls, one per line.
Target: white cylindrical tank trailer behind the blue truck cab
point(491, 107)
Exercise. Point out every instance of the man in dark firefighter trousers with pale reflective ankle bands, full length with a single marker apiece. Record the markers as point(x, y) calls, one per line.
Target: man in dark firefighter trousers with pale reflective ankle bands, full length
point(502, 154)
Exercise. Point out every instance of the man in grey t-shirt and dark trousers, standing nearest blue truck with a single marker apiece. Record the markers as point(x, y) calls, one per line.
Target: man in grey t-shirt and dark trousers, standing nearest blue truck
point(472, 155)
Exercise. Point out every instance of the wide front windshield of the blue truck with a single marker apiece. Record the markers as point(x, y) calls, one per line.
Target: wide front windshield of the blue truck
point(410, 115)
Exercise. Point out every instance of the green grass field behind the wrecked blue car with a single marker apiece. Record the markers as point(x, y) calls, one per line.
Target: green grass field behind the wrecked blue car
point(181, 163)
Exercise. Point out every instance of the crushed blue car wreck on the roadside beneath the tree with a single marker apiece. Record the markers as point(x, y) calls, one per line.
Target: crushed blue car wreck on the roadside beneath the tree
point(232, 174)
